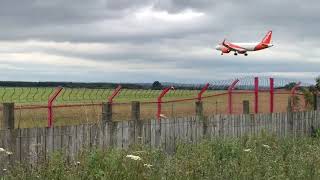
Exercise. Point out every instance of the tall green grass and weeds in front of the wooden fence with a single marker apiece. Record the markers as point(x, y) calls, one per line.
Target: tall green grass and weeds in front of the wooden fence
point(262, 157)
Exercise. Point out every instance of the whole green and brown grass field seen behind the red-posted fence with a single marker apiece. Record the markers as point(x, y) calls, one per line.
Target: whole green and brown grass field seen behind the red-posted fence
point(122, 106)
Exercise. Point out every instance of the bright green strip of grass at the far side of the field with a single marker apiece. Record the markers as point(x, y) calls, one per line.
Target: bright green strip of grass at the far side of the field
point(71, 95)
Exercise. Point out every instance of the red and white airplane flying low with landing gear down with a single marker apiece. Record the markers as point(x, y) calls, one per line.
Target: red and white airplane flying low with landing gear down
point(243, 48)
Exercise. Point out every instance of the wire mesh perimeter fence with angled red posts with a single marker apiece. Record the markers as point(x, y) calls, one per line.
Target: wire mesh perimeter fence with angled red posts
point(47, 107)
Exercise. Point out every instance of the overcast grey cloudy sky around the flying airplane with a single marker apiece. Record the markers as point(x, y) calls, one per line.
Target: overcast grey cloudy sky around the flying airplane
point(148, 40)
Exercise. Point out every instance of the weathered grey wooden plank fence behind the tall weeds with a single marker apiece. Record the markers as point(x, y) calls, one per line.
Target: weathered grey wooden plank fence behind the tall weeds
point(33, 145)
